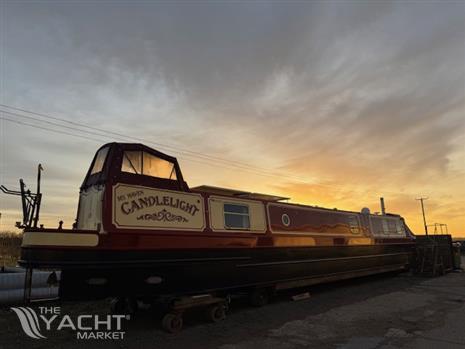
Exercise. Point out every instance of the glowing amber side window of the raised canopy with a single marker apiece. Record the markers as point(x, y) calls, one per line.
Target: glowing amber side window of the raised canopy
point(139, 162)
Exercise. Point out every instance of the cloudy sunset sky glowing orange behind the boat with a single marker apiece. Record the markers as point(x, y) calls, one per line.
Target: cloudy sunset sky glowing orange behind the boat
point(331, 103)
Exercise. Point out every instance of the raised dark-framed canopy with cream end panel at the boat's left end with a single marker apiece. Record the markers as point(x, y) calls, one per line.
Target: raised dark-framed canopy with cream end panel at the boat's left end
point(124, 163)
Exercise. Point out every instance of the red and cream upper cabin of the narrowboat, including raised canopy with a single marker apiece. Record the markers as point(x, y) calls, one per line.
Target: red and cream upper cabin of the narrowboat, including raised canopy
point(131, 187)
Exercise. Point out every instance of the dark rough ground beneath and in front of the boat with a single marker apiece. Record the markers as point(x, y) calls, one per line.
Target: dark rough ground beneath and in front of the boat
point(386, 311)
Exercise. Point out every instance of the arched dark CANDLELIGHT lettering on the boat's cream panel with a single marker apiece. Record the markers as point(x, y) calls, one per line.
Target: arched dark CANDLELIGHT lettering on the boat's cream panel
point(132, 206)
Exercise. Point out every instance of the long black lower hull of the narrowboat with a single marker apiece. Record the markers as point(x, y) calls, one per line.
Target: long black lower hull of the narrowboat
point(93, 273)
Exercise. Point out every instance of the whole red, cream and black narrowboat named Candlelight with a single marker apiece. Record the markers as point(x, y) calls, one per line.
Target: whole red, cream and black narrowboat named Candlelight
point(142, 231)
